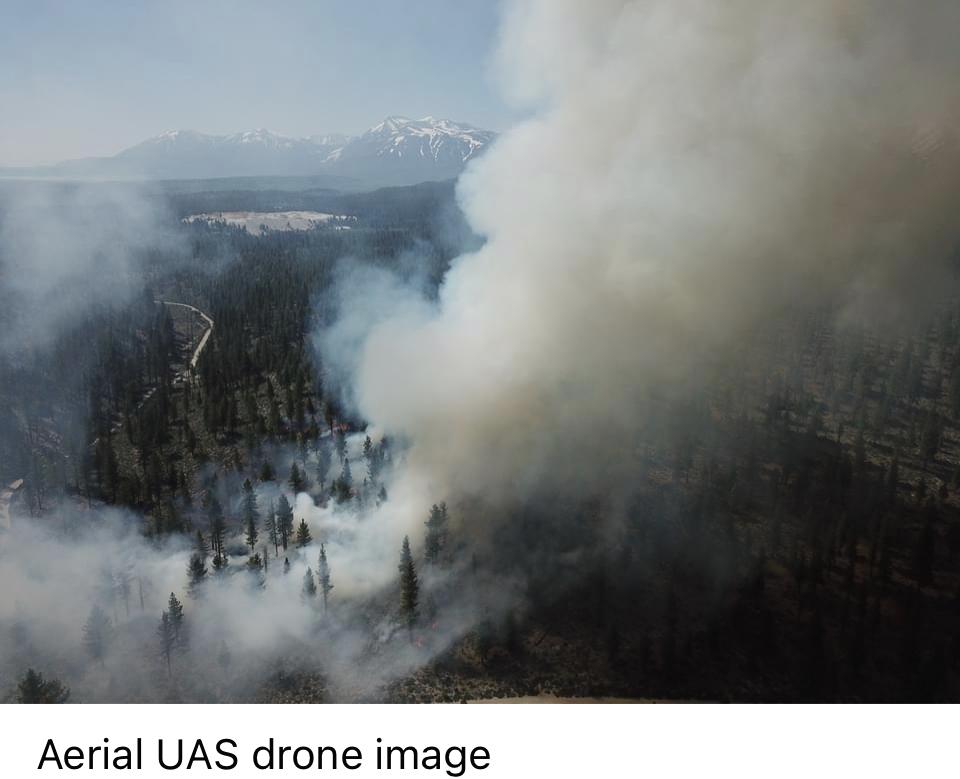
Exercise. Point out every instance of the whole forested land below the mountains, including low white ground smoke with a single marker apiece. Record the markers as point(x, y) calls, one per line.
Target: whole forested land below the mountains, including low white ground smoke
point(193, 508)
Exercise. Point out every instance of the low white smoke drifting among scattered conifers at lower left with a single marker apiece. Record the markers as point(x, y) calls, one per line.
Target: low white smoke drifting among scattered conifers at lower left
point(251, 634)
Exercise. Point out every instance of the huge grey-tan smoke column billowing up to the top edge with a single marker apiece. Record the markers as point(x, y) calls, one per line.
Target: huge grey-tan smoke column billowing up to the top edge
point(690, 168)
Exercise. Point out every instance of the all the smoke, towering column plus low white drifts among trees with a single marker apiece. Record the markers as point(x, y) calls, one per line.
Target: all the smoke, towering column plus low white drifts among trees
point(691, 169)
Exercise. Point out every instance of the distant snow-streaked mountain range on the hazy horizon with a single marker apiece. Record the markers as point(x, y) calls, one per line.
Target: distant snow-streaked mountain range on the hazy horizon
point(397, 151)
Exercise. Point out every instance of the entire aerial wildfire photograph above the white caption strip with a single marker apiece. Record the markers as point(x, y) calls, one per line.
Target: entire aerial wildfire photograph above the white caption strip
point(541, 351)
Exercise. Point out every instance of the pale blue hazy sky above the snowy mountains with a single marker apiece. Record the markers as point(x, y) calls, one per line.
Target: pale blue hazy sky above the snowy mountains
point(86, 79)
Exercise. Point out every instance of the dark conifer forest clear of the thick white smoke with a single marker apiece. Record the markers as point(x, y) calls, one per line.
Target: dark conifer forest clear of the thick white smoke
point(793, 531)
